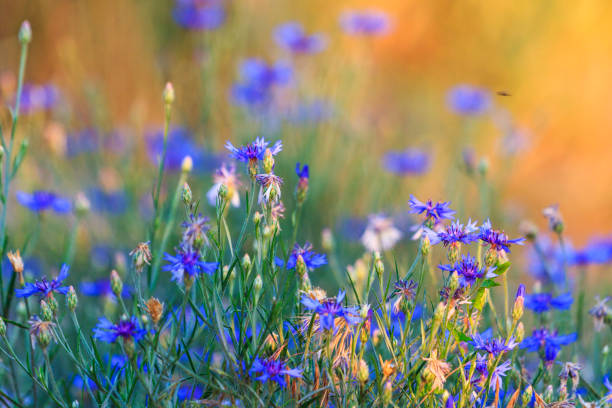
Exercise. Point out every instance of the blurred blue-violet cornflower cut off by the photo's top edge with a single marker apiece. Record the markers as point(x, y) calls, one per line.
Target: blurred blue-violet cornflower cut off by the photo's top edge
point(199, 15)
